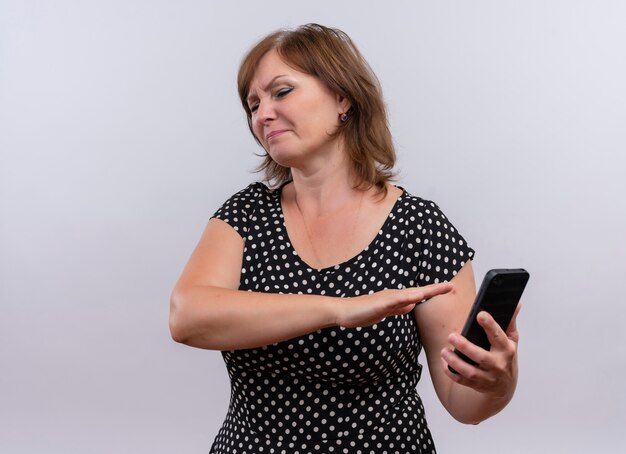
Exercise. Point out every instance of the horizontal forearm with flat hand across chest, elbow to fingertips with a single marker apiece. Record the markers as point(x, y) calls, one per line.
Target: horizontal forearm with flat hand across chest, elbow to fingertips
point(217, 318)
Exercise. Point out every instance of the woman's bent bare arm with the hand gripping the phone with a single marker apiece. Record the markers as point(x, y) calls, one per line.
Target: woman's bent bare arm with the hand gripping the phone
point(476, 393)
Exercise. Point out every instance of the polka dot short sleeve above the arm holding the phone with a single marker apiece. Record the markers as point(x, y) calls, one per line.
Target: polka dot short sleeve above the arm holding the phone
point(442, 251)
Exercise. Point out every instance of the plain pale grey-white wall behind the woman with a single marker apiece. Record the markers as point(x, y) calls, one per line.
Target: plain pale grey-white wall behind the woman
point(121, 132)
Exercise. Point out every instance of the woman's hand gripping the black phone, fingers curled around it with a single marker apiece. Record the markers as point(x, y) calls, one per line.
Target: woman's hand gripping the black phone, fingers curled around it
point(496, 373)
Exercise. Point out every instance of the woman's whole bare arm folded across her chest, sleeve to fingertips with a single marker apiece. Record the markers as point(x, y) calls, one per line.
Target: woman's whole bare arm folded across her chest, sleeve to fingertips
point(207, 310)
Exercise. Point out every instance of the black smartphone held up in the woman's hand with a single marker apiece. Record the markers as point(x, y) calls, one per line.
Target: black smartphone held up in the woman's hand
point(499, 295)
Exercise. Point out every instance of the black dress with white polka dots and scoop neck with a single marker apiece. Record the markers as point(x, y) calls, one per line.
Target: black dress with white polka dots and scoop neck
point(335, 390)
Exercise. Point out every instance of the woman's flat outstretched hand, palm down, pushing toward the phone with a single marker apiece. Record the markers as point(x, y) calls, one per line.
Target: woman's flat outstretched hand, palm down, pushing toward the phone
point(367, 310)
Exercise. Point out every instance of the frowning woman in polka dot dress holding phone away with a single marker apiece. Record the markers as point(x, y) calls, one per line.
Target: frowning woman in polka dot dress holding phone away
point(321, 292)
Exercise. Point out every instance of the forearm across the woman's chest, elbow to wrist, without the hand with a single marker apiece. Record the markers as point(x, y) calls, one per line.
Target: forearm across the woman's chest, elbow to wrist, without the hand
point(223, 319)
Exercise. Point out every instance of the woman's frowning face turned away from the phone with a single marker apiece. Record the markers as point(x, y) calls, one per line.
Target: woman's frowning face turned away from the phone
point(293, 113)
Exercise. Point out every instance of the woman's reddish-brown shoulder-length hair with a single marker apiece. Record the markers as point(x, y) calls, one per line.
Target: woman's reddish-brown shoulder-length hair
point(331, 56)
